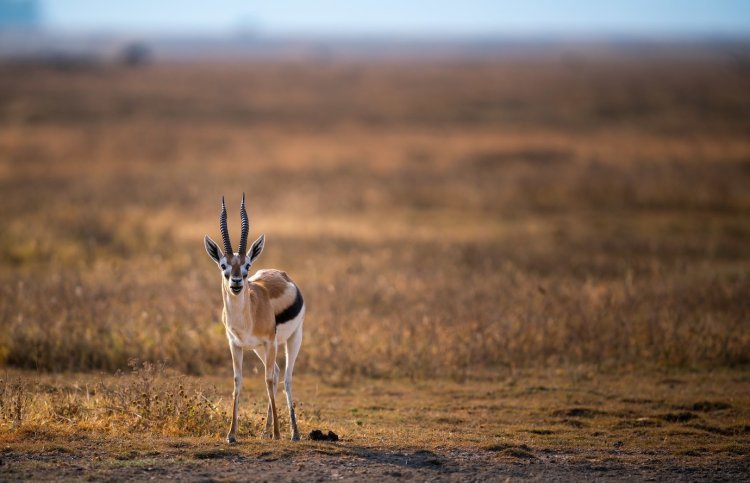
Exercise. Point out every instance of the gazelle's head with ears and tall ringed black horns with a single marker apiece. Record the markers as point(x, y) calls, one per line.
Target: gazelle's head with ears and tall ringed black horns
point(234, 267)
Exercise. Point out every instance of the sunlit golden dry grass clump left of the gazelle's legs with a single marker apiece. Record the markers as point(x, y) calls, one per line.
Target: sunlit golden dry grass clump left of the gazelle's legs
point(146, 399)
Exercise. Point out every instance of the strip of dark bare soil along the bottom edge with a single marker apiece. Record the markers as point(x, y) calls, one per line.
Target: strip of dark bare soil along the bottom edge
point(317, 462)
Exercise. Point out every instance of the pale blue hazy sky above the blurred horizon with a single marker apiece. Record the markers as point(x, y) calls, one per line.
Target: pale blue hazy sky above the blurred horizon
point(425, 18)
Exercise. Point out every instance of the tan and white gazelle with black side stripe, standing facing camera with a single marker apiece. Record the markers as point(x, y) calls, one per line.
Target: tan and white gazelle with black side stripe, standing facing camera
point(260, 312)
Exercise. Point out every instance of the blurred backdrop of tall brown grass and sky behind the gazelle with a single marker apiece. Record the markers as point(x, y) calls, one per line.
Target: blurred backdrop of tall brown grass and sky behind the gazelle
point(457, 189)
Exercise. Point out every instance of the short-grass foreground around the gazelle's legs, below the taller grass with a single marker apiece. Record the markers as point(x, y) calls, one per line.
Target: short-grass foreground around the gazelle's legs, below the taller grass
point(573, 423)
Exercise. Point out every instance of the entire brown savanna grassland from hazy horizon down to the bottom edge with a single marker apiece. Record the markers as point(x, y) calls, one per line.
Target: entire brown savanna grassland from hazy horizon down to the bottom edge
point(512, 268)
